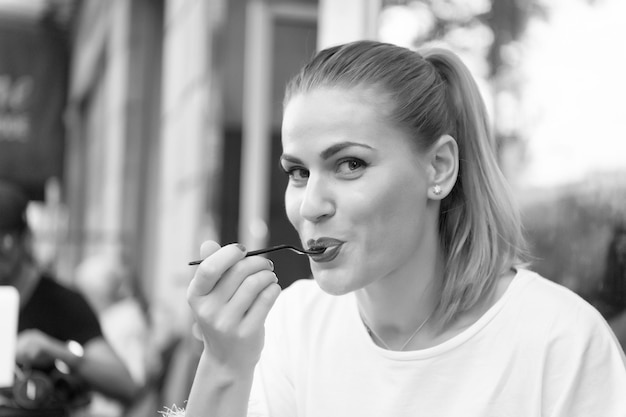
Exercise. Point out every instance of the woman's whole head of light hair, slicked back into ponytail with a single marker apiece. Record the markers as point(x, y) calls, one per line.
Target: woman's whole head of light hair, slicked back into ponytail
point(432, 94)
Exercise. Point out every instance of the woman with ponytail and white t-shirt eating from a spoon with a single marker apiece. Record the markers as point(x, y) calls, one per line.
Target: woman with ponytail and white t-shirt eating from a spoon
point(419, 305)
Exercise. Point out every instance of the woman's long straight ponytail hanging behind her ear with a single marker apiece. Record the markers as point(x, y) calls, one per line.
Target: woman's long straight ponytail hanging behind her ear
point(480, 227)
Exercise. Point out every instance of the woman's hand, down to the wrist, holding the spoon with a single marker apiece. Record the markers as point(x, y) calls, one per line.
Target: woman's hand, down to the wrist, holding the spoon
point(230, 296)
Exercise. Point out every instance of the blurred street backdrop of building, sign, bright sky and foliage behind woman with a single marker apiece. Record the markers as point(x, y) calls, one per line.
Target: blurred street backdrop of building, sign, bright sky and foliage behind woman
point(144, 127)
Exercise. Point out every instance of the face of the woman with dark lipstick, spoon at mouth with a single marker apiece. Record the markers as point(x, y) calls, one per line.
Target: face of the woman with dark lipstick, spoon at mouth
point(357, 186)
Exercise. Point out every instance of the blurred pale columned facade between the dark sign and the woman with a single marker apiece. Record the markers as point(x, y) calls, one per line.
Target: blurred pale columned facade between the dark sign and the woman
point(172, 125)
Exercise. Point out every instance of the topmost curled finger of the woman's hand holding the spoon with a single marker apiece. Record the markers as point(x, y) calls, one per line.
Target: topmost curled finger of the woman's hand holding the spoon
point(213, 267)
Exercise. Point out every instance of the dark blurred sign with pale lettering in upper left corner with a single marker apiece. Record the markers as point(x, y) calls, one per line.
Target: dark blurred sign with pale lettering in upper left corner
point(33, 83)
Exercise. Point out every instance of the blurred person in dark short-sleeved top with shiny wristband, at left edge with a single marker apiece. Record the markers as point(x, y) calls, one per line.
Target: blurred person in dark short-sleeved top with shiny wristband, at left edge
point(59, 336)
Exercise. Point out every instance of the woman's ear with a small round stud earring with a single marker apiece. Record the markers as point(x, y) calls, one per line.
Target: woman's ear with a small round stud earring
point(443, 167)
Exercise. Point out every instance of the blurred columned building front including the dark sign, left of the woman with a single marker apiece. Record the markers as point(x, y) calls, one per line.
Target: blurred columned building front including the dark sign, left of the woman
point(147, 126)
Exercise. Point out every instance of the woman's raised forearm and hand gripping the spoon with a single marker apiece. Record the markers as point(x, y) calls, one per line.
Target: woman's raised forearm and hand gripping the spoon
point(230, 297)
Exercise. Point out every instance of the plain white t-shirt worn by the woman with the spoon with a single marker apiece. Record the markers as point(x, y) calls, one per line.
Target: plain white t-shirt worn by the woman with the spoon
point(541, 350)
